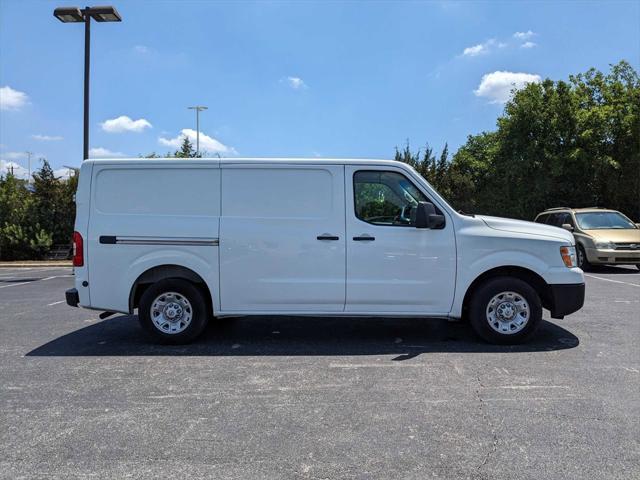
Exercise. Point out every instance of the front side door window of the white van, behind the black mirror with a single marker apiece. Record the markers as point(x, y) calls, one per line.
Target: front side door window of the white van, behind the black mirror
point(385, 198)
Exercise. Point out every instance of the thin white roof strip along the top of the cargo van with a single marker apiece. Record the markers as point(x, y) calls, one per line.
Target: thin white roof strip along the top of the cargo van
point(234, 160)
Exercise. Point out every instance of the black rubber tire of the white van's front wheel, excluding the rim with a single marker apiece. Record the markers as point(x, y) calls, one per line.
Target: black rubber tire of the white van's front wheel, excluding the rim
point(480, 302)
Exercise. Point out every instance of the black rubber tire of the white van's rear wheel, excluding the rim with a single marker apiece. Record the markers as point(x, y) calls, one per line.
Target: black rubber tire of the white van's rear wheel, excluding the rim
point(198, 311)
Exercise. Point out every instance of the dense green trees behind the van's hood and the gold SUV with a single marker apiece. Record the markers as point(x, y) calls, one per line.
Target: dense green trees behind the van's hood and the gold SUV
point(566, 143)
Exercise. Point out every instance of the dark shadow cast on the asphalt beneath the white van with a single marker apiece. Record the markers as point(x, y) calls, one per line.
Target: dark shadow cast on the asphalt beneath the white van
point(285, 336)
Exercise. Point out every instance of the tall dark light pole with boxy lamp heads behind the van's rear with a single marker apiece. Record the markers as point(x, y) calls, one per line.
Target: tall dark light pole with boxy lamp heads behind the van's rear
point(77, 15)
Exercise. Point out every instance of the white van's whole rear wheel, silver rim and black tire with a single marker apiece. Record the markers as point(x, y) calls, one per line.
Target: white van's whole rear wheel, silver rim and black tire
point(173, 311)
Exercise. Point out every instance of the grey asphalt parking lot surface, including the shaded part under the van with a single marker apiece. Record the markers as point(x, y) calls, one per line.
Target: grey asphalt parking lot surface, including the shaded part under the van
point(317, 398)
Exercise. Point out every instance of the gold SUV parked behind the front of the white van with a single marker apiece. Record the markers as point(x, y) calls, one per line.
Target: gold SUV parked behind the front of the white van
point(603, 237)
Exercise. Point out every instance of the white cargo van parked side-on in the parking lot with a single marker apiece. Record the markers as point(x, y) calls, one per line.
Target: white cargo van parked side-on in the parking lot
point(184, 240)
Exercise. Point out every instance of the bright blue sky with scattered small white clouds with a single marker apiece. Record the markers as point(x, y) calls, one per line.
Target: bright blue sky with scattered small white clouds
point(332, 79)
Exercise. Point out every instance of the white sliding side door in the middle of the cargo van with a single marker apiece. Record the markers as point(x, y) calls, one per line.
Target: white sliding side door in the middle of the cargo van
point(282, 238)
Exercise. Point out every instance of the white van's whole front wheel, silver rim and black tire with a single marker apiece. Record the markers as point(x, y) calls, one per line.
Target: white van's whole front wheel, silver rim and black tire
point(505, 310)
